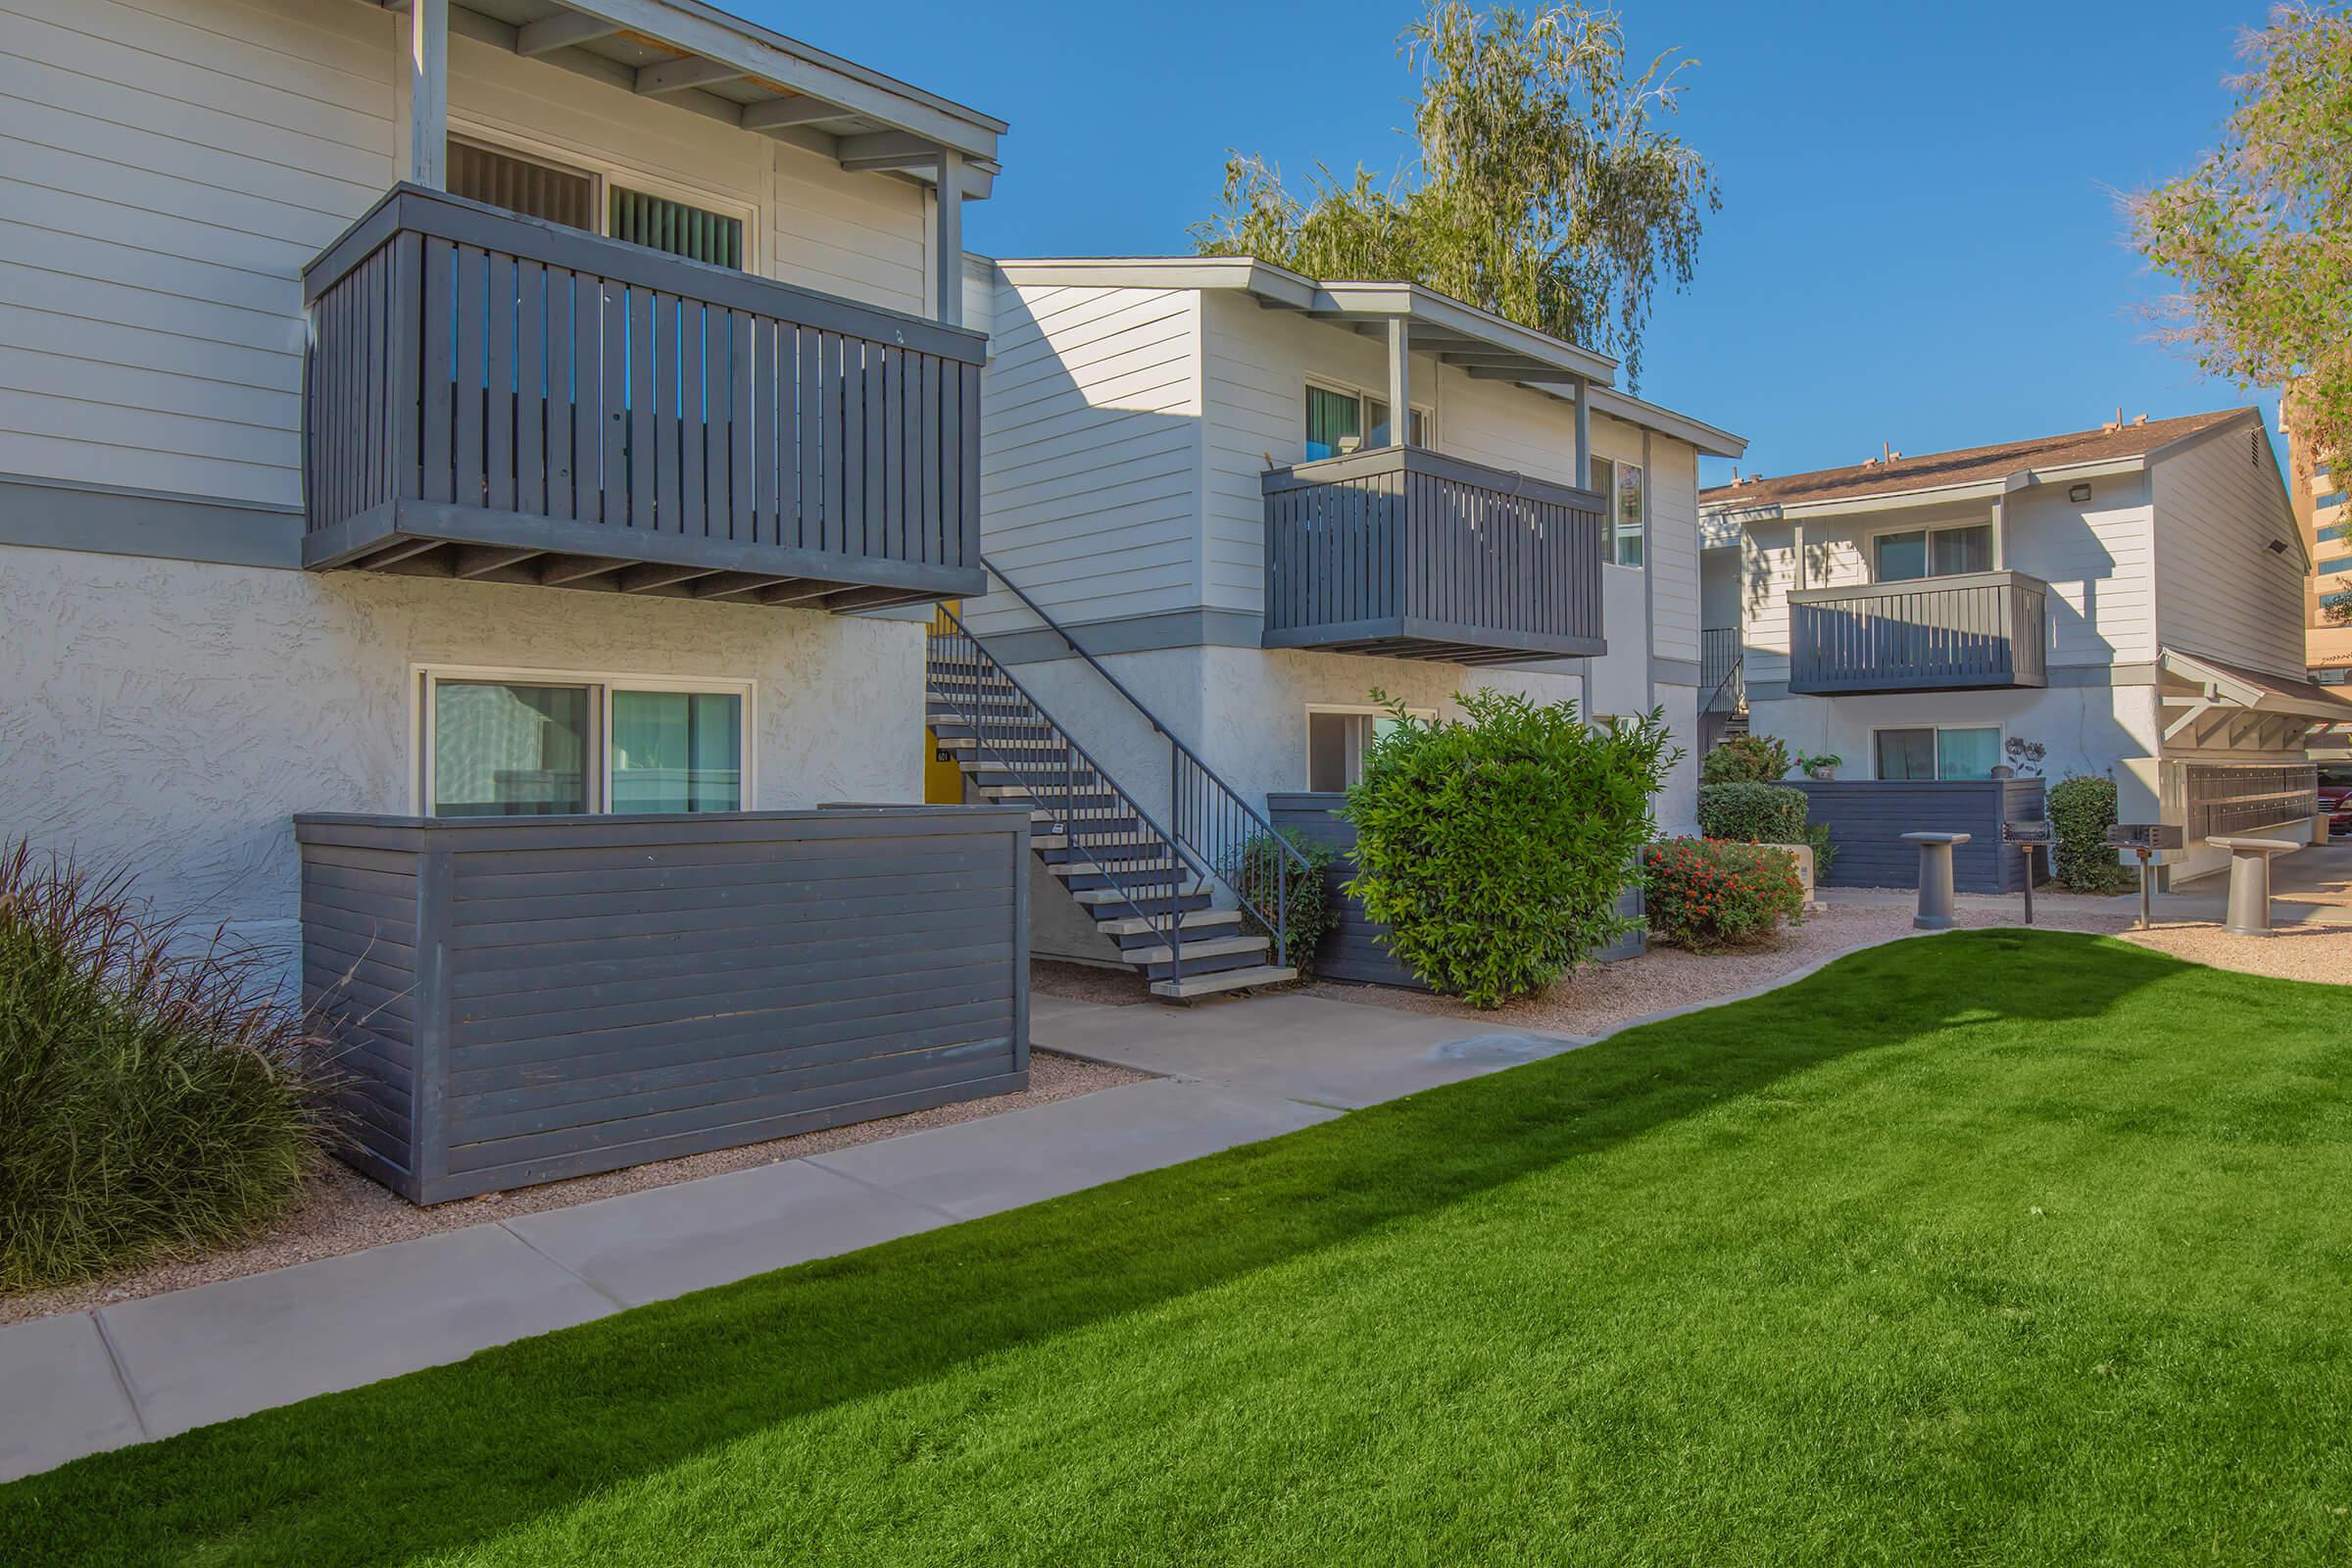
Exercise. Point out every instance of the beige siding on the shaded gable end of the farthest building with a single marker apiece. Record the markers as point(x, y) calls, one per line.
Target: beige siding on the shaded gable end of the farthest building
point(2219, 587)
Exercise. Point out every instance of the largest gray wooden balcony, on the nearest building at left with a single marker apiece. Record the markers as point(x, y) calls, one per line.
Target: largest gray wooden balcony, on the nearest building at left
point(512, 401)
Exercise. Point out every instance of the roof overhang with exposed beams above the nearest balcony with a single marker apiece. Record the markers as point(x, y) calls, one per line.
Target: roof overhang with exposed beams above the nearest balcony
point(728, 69)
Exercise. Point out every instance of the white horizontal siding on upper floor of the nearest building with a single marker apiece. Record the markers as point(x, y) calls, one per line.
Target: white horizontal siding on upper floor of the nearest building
point(171, 166)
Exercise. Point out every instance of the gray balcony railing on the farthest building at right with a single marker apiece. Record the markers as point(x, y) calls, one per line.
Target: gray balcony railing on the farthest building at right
point(1951, 634)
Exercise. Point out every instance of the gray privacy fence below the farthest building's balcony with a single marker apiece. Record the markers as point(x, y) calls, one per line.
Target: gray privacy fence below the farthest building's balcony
point(1871, 817)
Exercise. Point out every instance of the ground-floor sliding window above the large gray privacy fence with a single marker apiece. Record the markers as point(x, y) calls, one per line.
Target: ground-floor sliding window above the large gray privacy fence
point(544, 744)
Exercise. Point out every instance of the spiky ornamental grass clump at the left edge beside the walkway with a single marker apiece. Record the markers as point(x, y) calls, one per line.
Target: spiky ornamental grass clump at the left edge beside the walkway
point(154, 1099)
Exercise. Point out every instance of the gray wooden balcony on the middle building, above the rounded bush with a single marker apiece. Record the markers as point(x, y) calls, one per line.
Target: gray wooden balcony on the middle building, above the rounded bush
point(1419, 556)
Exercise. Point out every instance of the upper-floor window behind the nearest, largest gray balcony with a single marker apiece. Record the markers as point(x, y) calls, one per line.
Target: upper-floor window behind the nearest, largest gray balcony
point(601, 201)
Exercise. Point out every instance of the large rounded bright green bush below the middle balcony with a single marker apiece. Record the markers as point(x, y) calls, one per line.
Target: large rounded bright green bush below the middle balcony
point(1495, 847)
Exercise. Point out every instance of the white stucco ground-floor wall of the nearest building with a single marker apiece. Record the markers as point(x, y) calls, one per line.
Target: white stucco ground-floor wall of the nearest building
point(175, 716)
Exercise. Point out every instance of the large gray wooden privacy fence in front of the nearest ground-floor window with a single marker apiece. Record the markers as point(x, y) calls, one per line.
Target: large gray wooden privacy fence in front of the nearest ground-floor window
point(521, 1000)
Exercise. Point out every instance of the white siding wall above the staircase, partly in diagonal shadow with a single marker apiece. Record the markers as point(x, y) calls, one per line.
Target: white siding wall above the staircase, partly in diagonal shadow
point(1090, 453)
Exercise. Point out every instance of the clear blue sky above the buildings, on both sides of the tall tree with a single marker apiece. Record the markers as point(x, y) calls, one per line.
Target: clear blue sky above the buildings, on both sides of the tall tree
point(1918, 246)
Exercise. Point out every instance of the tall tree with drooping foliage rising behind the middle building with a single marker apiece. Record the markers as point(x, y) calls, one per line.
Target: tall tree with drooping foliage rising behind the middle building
point(1546, 185)
